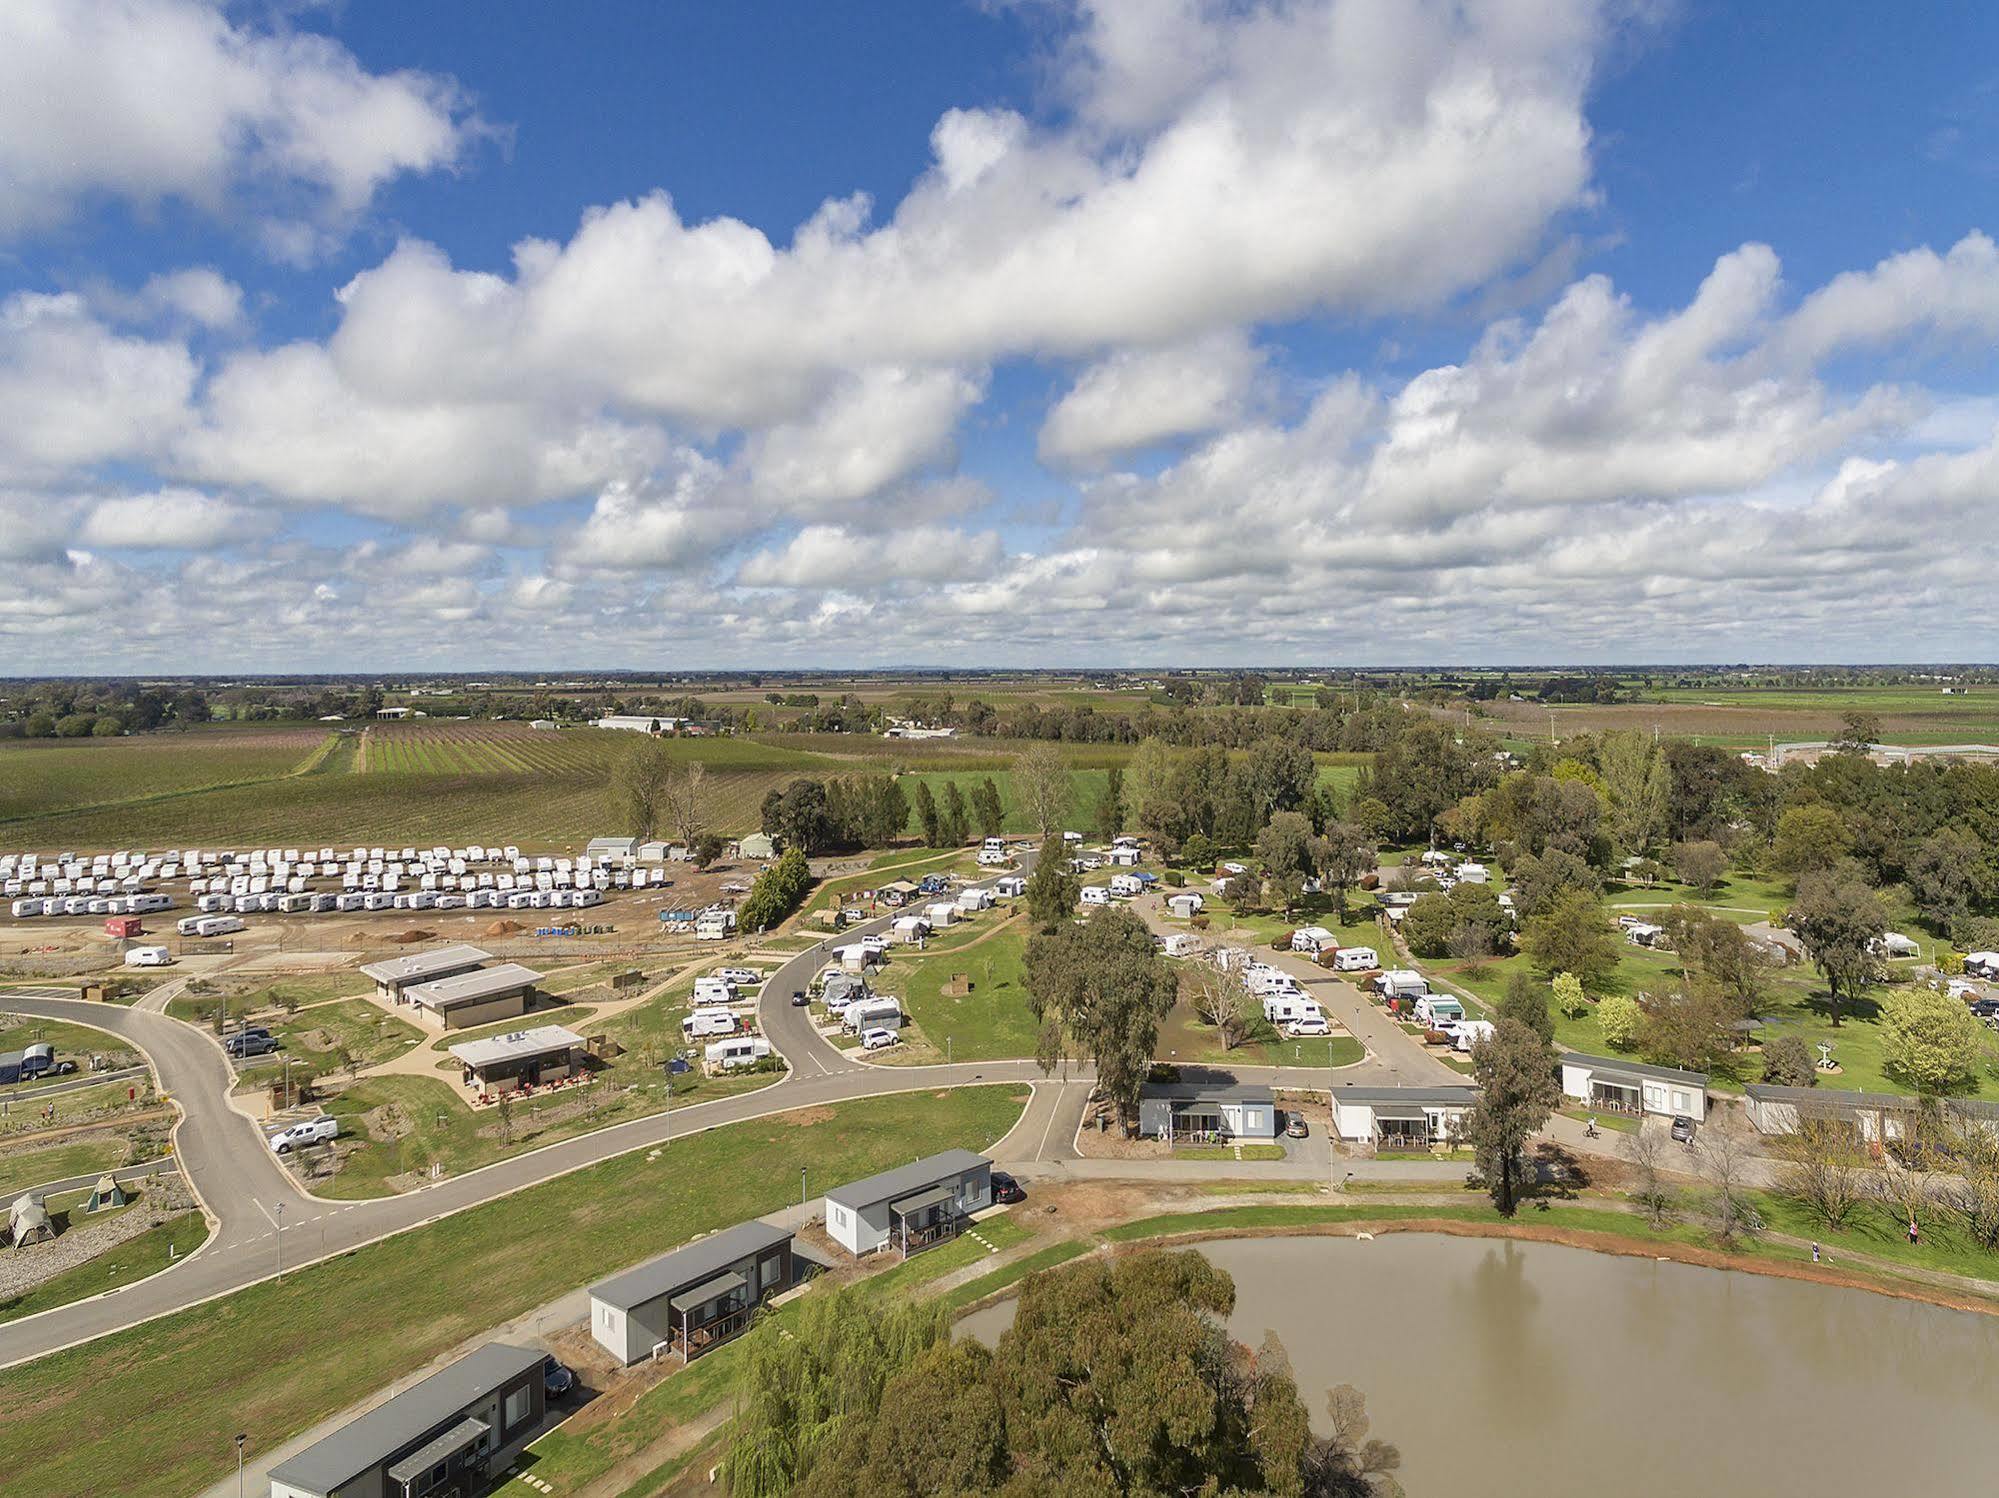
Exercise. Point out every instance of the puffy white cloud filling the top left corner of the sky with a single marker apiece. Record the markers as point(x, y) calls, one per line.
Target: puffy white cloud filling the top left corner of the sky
point(171, 99)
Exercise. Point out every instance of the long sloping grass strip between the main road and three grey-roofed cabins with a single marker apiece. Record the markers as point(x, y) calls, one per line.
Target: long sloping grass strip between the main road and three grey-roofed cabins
point(279, 1357)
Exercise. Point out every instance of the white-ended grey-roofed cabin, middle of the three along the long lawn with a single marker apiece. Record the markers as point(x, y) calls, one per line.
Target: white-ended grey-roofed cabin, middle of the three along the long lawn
point(695, 1299)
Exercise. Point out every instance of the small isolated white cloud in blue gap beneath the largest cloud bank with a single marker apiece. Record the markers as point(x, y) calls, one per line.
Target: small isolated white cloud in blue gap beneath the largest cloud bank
point(1138, 399)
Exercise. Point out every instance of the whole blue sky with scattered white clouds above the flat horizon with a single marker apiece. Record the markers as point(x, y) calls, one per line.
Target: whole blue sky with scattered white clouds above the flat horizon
point(1042, 333)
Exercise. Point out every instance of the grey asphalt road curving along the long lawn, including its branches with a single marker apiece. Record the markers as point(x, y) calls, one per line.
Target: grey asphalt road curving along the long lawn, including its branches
point(247, 1193)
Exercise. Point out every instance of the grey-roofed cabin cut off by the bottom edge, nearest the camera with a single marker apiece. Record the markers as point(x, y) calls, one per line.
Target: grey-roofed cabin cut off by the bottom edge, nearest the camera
point(449, 1433)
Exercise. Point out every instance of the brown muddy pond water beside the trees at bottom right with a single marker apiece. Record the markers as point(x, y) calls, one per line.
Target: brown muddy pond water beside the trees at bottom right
point(1530, 1369)
